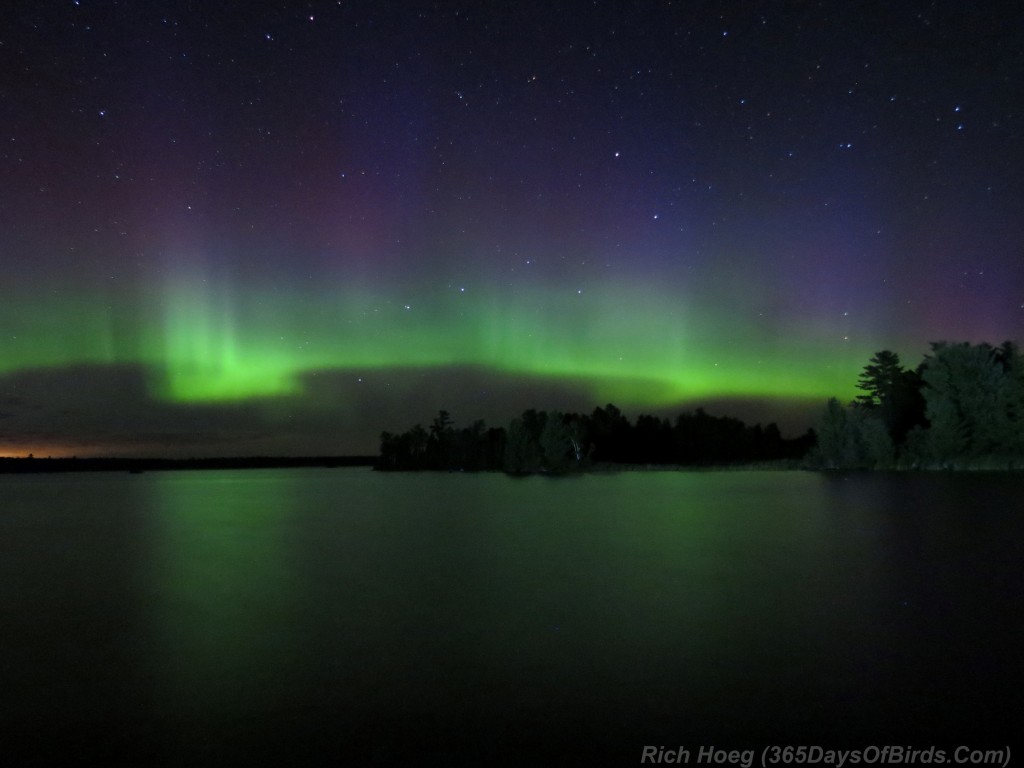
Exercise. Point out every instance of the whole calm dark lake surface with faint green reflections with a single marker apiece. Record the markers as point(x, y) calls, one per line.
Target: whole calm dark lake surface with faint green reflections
point(339, 616)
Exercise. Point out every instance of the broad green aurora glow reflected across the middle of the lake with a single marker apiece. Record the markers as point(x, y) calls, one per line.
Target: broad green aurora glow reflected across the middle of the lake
point(350, 606)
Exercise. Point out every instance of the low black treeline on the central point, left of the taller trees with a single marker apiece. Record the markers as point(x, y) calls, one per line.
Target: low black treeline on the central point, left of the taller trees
point(559, 443)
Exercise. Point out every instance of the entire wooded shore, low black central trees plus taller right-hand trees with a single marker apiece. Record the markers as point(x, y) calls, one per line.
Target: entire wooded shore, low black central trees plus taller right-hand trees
point(962, 408)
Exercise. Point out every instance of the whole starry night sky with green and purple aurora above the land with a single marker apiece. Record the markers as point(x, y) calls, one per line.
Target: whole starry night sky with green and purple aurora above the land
point(242, 229)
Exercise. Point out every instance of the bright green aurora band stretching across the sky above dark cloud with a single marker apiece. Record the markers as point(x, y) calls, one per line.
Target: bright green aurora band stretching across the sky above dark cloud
point(203, 340)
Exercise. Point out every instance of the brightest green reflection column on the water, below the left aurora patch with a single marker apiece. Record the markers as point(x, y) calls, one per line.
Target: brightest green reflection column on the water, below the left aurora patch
point(224, 604)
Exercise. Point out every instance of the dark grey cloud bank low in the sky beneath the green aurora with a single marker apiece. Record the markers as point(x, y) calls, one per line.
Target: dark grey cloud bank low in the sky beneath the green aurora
point(110, 410)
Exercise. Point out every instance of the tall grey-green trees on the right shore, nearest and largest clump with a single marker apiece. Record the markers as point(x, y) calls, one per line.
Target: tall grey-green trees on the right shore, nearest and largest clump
point(963, 407)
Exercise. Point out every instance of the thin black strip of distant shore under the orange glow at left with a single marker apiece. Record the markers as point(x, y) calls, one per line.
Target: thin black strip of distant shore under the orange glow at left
point(32, 465)
